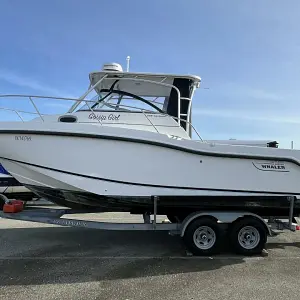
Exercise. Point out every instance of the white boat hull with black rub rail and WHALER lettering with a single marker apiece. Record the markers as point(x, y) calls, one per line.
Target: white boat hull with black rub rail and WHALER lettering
point(122, 164)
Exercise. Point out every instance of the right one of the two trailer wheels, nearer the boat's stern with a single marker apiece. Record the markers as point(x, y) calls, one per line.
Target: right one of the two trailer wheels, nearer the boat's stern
point(248, 236)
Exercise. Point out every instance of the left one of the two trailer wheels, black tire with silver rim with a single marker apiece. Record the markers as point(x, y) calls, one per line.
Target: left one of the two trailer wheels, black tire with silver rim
point(203, 236)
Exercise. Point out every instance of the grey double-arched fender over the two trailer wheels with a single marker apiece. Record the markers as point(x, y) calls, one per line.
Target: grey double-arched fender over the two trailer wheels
point(222, 217)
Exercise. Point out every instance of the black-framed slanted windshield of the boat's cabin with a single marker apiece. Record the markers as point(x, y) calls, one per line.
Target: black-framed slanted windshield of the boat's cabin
point(123, 101)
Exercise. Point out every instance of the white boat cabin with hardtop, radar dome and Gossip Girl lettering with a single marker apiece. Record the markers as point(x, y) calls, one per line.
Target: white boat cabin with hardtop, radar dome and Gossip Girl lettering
point(146, 101)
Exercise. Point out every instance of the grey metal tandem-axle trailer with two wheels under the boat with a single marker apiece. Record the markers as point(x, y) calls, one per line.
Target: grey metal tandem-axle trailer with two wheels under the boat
point(203, 232)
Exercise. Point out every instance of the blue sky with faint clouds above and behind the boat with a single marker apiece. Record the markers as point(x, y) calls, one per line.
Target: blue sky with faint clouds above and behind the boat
point(246, 52)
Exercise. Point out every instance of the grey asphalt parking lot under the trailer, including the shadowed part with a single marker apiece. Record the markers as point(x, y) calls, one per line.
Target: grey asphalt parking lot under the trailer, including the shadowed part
point(39, 261)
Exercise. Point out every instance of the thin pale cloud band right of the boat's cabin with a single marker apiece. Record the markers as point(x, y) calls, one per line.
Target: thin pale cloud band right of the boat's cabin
point(248, 115)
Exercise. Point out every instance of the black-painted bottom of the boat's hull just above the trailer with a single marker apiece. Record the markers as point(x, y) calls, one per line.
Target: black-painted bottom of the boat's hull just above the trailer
point(168, 205)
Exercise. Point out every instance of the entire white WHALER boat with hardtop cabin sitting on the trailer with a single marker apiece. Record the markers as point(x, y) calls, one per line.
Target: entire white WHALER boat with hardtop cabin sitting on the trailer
point(134, 140)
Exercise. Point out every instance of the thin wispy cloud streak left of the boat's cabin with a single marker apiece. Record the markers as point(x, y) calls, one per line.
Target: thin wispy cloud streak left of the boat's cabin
point(27, 82)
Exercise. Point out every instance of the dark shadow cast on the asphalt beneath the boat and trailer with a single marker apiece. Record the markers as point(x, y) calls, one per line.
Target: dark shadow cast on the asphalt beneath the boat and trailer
point(32, 256)
